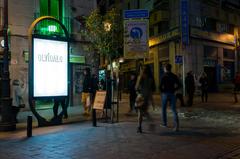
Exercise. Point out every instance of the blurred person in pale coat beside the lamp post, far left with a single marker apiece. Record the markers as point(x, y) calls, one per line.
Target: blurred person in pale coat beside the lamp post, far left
point(17, 97)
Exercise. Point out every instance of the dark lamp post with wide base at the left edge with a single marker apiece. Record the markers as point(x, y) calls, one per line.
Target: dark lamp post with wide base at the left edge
point(7, 123)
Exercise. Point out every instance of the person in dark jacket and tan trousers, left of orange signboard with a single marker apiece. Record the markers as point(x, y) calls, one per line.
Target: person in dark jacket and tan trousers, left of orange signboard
point(86, 91)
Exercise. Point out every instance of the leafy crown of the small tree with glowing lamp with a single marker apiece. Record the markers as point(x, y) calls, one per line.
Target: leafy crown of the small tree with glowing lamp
point(105, 33)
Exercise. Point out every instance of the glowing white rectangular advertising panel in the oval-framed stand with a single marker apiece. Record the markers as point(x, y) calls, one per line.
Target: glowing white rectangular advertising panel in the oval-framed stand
point(50, 68)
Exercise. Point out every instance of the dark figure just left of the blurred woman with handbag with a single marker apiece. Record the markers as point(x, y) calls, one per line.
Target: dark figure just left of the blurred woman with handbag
point(132, 92)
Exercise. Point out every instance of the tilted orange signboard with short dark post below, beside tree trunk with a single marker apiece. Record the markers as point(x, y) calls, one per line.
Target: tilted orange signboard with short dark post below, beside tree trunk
point(98, 104)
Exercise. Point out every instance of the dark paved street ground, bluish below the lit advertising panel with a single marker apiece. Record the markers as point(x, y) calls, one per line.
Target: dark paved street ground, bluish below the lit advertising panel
point(207, 131)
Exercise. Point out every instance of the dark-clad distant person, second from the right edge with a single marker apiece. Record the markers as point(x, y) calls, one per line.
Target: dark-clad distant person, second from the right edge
point(204, 86)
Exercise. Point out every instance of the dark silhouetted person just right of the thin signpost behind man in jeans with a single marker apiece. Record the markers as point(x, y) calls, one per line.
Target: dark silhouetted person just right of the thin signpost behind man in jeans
point(190, 87)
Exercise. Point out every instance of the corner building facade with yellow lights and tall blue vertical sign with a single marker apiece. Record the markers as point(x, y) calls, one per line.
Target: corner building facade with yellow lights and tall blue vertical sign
point(203, 34)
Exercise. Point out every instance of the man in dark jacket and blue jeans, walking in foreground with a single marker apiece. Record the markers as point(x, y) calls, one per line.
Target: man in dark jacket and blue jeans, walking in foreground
point(168, 86)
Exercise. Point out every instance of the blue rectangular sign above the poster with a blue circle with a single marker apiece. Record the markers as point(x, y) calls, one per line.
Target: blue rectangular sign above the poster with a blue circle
point(136, 13)
